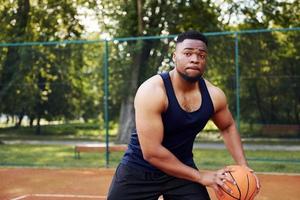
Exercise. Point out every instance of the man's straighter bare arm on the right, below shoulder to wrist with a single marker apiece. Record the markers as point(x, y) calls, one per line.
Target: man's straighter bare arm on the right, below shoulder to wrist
point(225, 122)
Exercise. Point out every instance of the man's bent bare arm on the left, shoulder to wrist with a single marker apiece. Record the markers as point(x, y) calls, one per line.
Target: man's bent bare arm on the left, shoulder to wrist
point(150, 102)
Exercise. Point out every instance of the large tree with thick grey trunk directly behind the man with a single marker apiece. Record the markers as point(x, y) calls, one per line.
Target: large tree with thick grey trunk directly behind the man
point(140, 18)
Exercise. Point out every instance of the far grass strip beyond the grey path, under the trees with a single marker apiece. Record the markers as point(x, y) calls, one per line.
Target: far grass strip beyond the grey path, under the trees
point(95, 132)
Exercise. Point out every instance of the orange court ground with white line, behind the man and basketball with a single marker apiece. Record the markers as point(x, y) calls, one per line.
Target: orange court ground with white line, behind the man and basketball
point(71, 184)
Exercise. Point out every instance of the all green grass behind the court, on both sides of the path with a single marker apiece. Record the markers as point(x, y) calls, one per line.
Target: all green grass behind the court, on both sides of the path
point(62, 156)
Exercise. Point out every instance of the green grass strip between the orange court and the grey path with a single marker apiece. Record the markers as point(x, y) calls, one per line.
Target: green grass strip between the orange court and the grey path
point(63, 157)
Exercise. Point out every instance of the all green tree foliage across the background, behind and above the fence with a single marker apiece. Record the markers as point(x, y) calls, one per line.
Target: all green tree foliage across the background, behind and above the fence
point(63, 81)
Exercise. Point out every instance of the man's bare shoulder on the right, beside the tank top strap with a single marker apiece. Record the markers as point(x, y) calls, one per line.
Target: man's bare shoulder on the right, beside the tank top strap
point(217, 95)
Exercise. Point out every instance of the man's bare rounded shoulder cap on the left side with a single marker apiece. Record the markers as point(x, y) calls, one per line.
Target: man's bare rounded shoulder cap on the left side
point(151, 94)
